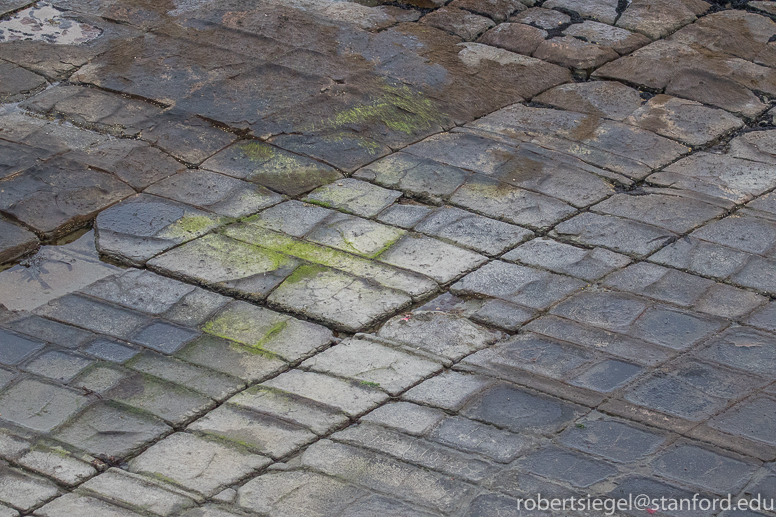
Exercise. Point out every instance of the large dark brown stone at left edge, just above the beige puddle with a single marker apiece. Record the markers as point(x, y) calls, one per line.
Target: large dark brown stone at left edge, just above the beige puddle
point(59, 195)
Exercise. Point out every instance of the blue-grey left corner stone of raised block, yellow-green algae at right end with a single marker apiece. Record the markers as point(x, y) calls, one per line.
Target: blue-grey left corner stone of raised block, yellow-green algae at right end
point(144, 226)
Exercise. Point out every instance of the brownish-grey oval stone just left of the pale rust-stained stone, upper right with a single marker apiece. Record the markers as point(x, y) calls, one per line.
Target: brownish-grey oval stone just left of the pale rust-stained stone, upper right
point(606, 99)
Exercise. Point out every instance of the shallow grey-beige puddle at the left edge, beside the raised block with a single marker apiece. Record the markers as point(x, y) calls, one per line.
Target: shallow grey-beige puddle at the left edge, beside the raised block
point(52, 272)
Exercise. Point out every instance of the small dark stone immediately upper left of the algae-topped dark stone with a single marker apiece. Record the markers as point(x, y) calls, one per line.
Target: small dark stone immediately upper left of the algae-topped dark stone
point(186, 137)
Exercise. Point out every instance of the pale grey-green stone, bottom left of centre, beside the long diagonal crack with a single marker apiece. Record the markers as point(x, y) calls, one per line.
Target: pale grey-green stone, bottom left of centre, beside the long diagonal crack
point(262, 433)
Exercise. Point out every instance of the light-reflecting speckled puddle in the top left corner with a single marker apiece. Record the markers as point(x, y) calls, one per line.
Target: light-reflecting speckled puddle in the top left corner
point(43, 22)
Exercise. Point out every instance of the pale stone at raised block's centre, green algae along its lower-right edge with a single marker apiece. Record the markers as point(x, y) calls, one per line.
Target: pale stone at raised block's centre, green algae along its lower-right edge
point(355, 235)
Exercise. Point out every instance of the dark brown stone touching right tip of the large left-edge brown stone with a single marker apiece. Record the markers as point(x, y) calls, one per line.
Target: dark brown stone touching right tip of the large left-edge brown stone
point(133, 162)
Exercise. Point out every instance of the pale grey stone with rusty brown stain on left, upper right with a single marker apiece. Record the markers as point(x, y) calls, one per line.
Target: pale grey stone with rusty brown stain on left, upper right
point(686, 121)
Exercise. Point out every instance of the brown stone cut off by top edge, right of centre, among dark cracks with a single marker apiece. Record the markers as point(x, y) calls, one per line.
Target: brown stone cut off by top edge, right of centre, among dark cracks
point(659, 18)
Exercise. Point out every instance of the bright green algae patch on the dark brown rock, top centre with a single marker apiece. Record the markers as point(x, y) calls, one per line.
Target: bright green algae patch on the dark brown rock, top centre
point(398, 107)
